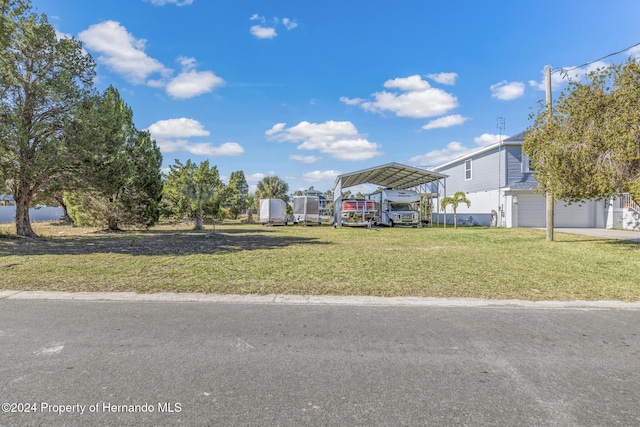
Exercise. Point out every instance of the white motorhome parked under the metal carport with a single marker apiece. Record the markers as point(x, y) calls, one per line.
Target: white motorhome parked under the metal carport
point(395, 207)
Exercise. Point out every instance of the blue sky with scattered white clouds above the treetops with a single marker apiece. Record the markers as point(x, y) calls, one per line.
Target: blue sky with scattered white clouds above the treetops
point(307, 90)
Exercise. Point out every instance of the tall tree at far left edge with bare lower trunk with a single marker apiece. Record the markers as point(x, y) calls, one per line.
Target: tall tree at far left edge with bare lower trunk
point(42, 80)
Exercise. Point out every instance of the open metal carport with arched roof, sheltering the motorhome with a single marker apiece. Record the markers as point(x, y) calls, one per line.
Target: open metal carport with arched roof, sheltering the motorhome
point(391, 175)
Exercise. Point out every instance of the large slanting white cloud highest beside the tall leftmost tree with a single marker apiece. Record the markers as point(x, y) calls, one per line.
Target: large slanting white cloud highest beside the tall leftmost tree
point(121, 52)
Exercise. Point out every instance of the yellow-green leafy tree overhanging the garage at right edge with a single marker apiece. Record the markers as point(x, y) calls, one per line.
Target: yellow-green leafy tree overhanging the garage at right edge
point(589, 145)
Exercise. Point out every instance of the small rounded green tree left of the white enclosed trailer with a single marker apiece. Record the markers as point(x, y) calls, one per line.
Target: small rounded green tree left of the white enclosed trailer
point(192, 192)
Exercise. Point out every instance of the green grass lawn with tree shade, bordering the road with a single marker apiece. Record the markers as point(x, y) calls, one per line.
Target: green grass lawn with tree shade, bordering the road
point(254, 259)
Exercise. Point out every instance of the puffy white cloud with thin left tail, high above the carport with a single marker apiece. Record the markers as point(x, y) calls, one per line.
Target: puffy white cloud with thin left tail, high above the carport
point(417, 99)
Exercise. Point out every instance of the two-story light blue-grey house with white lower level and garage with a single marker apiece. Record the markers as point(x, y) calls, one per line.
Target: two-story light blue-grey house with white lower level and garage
point(501, 187)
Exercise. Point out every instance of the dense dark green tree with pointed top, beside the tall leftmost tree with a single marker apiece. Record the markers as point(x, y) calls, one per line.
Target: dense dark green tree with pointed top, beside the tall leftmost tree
point(122, 183)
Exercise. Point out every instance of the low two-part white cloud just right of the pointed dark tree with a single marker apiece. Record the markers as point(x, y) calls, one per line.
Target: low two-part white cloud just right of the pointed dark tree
point(171, 135)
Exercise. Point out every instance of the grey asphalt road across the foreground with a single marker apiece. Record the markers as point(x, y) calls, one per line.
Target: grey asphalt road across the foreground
point(224, 364)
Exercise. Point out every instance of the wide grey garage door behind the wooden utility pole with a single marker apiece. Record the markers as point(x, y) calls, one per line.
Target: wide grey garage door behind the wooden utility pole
point(532, 213)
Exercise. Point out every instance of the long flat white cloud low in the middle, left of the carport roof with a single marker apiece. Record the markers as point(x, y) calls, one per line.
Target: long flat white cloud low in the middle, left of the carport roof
point(340, 140)
